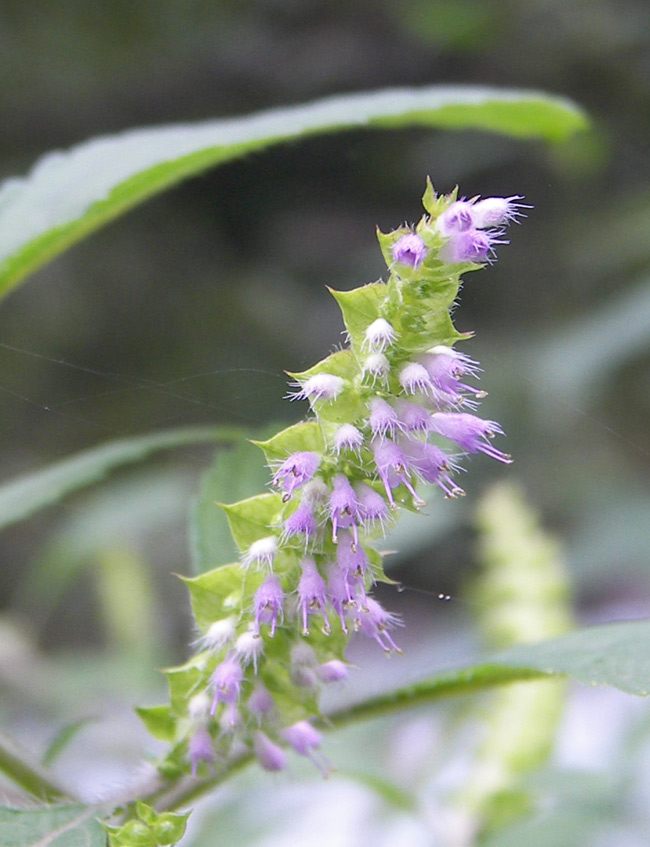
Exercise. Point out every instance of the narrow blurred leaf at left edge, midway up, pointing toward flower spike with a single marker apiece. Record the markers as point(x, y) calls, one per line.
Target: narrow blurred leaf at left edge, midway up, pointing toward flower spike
point(21, 497)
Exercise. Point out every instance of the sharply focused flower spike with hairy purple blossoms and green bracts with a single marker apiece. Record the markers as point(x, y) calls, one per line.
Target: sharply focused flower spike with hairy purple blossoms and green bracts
point(395, 409)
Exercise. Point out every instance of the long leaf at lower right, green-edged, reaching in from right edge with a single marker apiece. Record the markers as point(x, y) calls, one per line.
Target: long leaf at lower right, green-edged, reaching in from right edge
point(613, 654)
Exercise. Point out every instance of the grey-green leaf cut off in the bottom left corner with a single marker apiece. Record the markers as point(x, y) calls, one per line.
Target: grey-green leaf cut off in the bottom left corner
point(52, 826)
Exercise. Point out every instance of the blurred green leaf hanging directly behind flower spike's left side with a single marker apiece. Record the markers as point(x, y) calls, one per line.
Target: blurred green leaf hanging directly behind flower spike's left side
point(235, 474)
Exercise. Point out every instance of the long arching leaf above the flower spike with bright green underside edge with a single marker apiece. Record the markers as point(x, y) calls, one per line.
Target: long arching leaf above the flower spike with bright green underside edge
point(70, 194)
